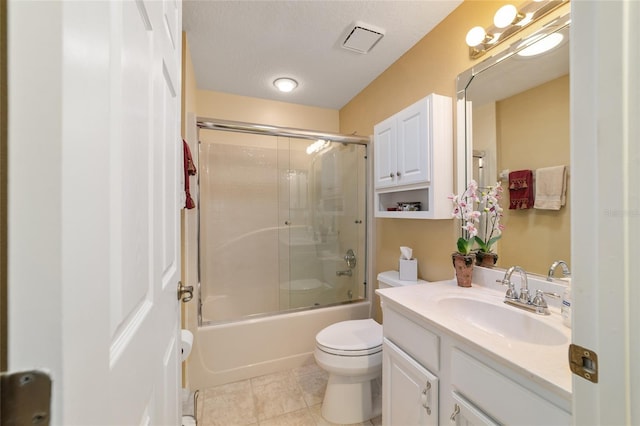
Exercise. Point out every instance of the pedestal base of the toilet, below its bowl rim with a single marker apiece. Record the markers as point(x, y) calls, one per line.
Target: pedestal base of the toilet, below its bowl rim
point(349, 401)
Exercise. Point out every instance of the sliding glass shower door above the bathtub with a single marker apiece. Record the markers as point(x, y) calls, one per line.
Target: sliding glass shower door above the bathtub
point(282, 224)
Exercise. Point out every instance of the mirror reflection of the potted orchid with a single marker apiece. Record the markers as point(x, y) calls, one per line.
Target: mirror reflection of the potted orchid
point(490, 227)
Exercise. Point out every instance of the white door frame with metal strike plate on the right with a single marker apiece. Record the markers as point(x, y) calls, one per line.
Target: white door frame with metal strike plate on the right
point(605, 154)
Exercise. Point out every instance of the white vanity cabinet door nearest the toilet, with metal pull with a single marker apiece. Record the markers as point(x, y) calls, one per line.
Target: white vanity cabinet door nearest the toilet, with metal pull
point(409, 391)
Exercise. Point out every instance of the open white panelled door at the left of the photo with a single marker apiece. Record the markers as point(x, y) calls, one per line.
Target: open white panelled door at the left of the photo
point(94, 172)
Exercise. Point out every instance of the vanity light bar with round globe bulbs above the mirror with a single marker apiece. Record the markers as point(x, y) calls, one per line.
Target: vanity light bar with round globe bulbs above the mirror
point(508, 21)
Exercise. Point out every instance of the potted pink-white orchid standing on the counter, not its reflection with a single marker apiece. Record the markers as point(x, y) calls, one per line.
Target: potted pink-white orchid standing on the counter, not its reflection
point(463, 209)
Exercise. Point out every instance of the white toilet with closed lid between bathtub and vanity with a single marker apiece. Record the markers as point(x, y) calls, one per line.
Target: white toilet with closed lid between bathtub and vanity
point(351, 352)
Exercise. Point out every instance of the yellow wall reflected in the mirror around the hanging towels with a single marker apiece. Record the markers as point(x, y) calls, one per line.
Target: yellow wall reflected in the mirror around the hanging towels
point(533, 132)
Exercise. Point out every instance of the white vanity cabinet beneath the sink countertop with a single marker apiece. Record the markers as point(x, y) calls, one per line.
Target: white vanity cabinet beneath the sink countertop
point(469, 385)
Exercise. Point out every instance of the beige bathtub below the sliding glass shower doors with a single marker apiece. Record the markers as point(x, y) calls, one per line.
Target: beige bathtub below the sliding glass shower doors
point(226, 353)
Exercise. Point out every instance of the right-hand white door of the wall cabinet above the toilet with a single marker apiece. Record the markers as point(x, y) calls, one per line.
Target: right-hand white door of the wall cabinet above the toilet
point(413, 144)
